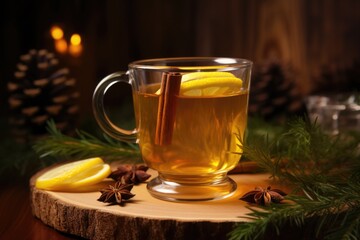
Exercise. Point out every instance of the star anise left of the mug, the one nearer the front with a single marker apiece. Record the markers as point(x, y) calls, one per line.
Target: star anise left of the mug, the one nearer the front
point(116, 194)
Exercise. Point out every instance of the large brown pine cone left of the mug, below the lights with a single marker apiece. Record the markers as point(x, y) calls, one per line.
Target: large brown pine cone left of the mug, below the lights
point(41, 90)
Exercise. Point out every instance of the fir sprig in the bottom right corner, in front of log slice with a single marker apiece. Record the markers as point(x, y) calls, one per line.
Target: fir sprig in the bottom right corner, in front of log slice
point(333, 220)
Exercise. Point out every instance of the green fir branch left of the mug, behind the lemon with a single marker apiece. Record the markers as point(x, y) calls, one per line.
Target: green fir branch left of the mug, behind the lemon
point(86, 145)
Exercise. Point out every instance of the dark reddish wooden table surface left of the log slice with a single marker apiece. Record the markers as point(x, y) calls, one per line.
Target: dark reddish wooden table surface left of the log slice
point(16, 219)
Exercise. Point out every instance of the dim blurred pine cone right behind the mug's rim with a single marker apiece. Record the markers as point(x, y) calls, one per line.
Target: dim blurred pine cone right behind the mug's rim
point(273, 94)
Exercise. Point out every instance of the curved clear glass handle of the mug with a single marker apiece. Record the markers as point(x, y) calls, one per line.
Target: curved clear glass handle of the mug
point(99, 111)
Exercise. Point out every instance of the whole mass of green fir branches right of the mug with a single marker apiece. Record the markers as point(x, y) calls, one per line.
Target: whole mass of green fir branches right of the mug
point(325, 173)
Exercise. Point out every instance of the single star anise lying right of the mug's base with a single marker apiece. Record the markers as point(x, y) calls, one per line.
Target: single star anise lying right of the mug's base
point(264, 197)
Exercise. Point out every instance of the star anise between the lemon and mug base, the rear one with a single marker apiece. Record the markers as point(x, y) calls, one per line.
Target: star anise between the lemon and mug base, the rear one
point(131, 174)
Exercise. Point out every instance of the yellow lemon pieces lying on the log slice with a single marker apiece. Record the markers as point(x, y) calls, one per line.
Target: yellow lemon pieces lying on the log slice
point(74, 175)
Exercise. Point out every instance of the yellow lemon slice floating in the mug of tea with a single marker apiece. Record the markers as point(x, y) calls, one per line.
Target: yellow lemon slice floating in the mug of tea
point(209, 84)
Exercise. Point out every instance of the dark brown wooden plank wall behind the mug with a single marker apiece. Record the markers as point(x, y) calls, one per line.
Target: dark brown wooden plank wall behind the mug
point(307, 35)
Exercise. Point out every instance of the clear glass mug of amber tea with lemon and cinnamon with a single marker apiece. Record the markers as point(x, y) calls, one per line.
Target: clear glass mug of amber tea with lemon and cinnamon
point(191, 114)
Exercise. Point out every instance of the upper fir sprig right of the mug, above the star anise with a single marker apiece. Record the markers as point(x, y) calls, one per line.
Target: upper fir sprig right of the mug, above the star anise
point(303, 147)
